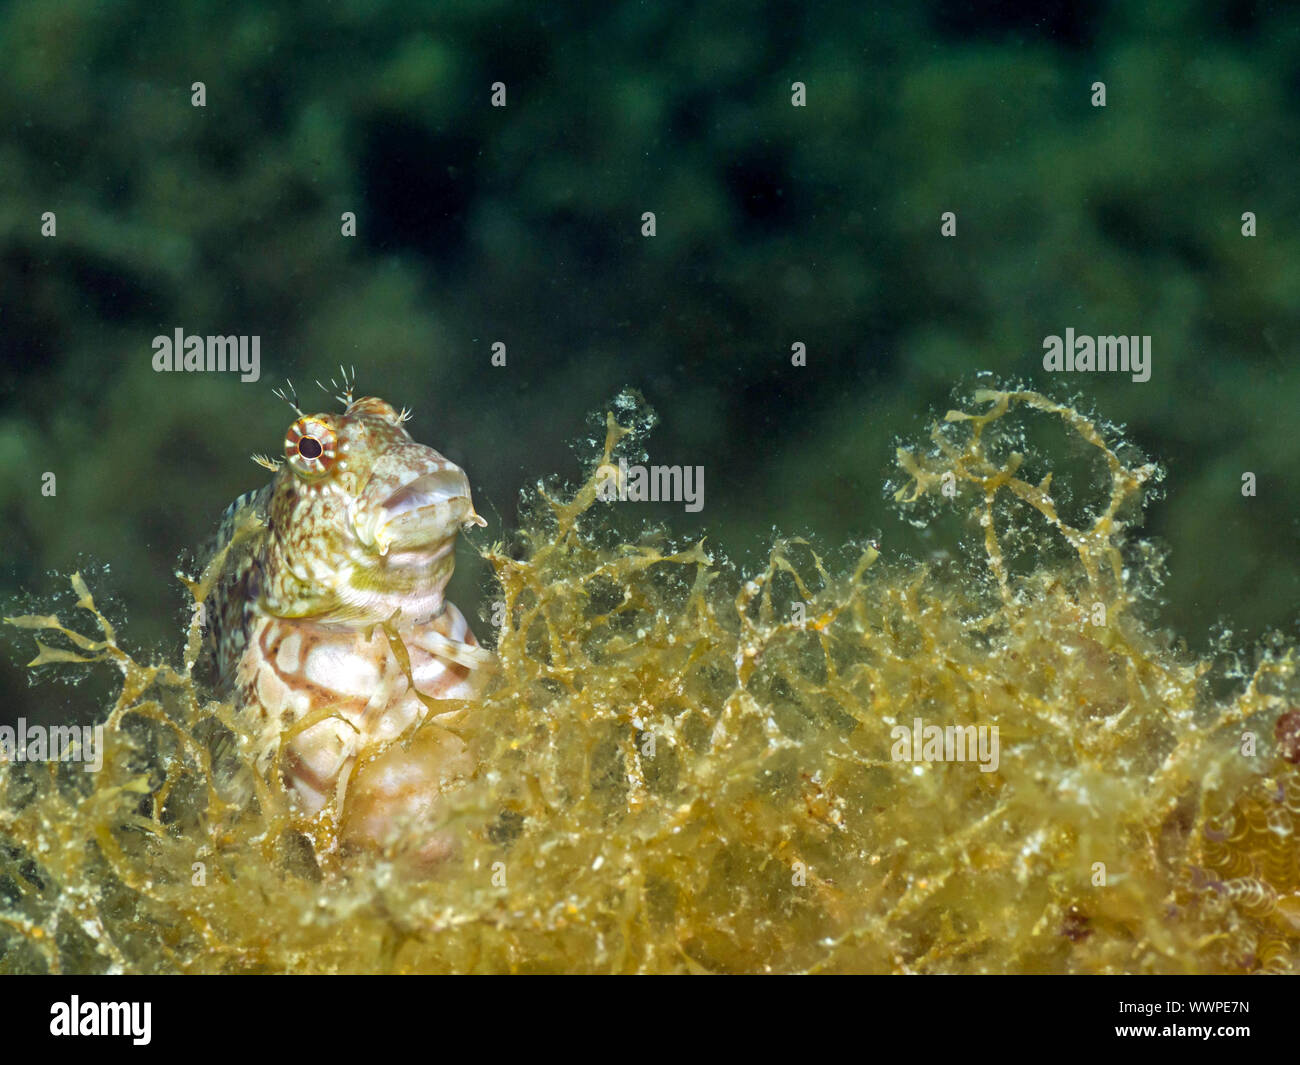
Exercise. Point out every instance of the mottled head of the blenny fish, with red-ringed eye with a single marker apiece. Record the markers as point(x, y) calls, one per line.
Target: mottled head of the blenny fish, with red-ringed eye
point(362, 521)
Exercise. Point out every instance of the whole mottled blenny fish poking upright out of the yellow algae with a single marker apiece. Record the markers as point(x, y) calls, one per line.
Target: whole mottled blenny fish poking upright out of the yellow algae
point(328, 625)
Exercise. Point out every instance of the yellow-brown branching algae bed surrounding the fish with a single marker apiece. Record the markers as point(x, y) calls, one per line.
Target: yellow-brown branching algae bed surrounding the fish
point(995, 763)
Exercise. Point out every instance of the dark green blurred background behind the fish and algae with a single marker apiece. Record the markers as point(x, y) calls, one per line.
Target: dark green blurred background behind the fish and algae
point(523, 226)
